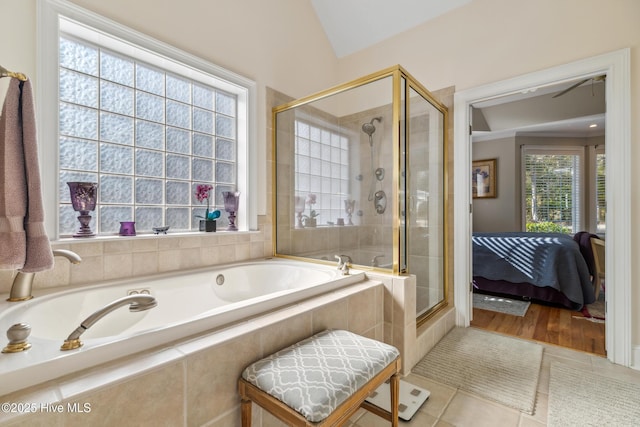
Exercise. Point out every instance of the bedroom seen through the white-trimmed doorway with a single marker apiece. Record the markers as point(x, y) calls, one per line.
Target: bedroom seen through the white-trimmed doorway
point(522, 132)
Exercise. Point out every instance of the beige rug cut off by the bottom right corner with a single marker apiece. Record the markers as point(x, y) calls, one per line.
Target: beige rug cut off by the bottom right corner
point(583, 398)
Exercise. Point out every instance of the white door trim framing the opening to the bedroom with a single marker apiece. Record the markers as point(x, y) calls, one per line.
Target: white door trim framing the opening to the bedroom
point(615, 66)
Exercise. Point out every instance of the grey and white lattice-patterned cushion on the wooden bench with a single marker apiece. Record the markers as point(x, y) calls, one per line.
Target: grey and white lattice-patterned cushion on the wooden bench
point(316, 375)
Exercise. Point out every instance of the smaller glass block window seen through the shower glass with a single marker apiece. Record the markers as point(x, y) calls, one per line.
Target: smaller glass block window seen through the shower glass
point(322, 169)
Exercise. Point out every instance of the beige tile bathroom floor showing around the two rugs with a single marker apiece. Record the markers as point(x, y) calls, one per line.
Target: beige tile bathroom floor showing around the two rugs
point(448, 406)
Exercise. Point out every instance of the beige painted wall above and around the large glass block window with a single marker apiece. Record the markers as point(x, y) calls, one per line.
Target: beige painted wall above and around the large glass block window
point(277, 43)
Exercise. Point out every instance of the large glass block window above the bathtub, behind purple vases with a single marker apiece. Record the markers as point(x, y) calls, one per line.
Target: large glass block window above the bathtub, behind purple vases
point(147, 135)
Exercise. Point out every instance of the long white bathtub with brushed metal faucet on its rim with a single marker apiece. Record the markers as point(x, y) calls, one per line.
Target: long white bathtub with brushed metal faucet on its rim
point(189, 303)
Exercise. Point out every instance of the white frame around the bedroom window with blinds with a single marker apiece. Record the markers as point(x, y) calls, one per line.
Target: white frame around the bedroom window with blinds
point(577, 223)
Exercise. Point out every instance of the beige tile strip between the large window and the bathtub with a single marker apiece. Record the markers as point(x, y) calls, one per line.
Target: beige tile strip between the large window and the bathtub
point(118, 257)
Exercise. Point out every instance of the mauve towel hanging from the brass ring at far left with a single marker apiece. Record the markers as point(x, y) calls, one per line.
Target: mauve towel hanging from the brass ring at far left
point(23, 240)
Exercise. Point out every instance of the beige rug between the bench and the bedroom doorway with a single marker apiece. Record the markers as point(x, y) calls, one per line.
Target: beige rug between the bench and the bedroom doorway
point(495, 367)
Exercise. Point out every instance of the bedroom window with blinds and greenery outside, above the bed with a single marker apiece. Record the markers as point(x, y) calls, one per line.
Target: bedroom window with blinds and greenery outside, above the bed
point(553, 188)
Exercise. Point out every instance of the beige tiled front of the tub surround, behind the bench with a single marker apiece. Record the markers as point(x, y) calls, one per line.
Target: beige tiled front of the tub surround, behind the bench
point(194, 382)
